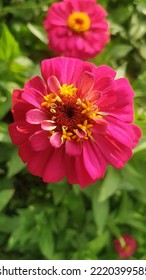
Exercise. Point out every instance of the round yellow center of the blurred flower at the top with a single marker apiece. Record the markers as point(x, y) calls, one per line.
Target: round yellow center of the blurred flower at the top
point(79, 22)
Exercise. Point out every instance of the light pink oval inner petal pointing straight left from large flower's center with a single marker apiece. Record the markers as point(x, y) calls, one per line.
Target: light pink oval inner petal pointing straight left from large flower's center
point(35, 116)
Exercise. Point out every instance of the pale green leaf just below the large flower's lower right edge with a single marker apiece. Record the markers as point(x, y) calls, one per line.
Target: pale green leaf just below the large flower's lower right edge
point(110, 184)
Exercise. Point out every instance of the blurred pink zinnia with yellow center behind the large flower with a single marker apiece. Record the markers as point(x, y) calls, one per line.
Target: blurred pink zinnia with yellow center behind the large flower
point(77, 28)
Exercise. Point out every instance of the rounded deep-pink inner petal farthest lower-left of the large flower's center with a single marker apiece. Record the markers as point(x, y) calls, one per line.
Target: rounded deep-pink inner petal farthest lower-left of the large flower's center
point(39, 140)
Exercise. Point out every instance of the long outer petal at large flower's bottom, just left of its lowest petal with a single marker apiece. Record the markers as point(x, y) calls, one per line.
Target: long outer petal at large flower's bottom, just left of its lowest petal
point(55, 169)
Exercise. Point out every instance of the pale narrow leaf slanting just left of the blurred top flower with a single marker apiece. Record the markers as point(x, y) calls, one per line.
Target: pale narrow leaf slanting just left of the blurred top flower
point(38, 31)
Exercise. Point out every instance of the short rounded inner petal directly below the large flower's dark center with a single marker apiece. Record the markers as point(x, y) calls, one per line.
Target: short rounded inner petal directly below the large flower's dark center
point(73, 148)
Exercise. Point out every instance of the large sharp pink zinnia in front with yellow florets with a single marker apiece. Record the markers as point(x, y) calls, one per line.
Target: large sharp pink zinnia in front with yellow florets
point(74, 122)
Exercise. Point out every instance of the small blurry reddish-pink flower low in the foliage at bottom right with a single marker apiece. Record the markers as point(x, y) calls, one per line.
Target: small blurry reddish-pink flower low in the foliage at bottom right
point(125, 246)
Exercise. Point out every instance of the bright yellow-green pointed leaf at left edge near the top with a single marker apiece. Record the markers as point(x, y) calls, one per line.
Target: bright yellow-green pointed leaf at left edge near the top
point(9, 47)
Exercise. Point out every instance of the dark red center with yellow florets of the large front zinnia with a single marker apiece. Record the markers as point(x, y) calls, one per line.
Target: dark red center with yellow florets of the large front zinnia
point(72, 116)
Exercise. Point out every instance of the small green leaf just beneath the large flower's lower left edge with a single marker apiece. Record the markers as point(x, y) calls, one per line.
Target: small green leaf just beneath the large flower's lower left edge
point(15, 165)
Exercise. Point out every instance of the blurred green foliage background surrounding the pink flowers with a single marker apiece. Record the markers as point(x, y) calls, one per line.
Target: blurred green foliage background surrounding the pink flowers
point(60, 221)
